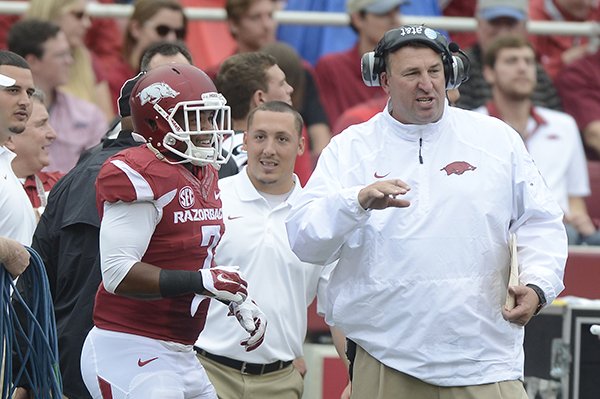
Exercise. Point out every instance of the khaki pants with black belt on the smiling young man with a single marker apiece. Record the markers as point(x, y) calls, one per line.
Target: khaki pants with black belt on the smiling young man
point(229, 383)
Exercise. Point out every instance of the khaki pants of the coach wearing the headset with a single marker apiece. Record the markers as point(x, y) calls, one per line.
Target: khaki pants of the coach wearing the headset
point(373, 380)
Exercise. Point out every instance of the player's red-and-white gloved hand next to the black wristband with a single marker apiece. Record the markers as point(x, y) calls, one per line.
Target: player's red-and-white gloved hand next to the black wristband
point(225, 283)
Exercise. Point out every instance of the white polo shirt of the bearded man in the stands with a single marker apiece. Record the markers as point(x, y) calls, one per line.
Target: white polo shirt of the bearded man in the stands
point(554, 142)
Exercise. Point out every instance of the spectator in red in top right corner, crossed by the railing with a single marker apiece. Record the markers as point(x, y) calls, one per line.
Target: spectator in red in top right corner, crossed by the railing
point(556, 51)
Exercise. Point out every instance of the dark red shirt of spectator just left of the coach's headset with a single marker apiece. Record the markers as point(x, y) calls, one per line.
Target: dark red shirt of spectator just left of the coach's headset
point(340, 80)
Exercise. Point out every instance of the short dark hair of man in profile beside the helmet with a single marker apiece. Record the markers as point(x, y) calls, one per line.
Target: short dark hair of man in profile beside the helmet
point(240, 76)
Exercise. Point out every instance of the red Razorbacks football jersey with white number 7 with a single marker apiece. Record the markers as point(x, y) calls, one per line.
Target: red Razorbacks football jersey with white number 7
point(184, 239)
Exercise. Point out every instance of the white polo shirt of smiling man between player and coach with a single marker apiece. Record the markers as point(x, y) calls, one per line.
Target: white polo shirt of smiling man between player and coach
point(255, 239)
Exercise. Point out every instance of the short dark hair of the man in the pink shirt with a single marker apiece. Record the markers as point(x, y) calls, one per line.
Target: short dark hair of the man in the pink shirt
point(28, 36)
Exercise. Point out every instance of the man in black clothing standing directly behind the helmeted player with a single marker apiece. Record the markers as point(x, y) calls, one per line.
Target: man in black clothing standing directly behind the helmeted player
point(67, 240)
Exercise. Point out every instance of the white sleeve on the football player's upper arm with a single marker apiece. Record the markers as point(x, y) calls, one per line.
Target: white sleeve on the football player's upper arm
point(125, 233)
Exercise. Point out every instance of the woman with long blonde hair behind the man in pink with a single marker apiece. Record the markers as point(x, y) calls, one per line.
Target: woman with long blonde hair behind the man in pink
point(84, 80)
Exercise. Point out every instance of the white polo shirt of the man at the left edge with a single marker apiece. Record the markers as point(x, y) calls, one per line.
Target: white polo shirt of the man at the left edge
point(17, 218)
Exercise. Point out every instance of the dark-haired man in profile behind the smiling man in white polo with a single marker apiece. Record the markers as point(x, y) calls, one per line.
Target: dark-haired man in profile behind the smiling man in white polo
point(248, 80)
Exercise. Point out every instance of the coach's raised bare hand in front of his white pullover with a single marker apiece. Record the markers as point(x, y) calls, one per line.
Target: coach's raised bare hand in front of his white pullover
point(382, 194)
